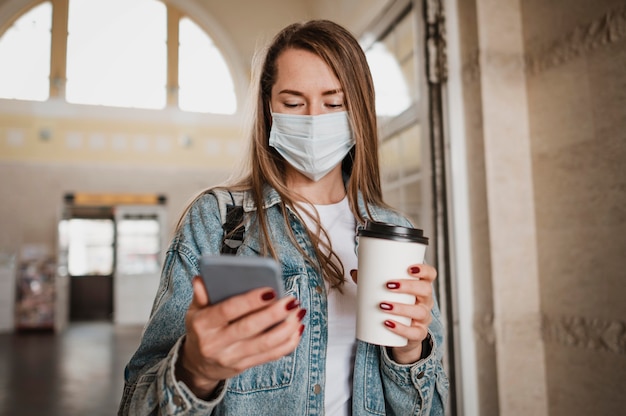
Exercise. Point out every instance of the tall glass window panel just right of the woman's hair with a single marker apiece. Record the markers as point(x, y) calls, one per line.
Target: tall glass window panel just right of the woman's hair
point(396, 66)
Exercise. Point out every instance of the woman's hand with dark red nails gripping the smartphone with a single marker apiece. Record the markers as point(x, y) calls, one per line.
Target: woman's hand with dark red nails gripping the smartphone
point(244, 331)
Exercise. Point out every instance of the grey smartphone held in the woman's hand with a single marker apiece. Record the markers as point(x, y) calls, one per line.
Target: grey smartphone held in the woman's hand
point(226, 276)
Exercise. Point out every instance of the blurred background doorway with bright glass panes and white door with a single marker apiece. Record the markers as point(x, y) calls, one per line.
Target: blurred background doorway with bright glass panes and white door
point(111, 257)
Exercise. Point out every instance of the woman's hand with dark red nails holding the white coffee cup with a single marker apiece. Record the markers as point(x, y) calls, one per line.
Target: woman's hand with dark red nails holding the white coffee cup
point(422, 287)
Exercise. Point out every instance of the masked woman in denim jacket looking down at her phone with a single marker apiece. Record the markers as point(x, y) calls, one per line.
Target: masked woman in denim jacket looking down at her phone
point(302, 200)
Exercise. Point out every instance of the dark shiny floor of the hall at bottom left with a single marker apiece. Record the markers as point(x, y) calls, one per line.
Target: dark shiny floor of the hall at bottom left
point(77, 373)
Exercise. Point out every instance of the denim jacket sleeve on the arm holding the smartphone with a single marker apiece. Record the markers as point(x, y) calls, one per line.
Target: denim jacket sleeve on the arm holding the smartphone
point(150, 384)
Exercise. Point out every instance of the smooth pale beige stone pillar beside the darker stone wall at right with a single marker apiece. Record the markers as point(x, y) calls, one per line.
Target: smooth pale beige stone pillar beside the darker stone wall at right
point(512, 233)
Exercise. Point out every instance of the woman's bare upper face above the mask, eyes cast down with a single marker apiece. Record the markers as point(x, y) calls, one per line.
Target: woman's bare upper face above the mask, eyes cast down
point(305, 85)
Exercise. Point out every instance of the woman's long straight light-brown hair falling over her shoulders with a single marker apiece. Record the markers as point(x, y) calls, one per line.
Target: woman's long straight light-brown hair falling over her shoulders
point(343, 54)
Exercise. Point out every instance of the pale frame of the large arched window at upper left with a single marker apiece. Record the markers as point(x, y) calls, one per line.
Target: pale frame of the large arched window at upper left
point(56, 104)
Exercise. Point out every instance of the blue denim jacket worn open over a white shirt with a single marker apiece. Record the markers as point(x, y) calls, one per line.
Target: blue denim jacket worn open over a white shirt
point(294, 384)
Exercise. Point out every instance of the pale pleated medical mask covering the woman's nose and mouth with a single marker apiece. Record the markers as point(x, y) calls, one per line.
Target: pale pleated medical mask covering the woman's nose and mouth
point(313, 145)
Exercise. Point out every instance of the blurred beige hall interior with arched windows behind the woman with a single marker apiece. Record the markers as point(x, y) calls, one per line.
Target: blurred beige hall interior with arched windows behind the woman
point(502, 127)
